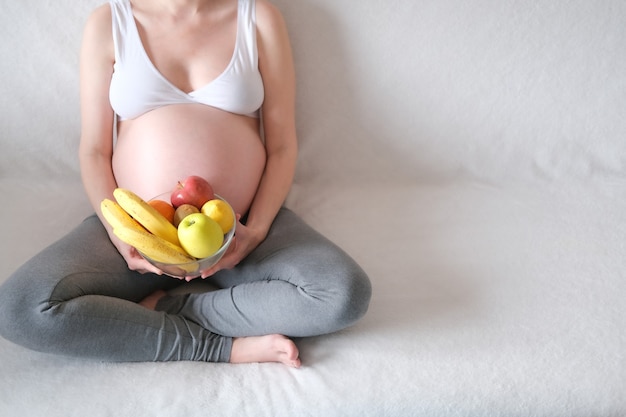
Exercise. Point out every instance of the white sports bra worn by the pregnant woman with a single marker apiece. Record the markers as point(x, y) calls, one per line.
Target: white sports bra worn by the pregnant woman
point(138, 87)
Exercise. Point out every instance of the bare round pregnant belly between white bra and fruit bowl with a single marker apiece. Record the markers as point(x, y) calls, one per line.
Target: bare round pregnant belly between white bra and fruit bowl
point(164, 146)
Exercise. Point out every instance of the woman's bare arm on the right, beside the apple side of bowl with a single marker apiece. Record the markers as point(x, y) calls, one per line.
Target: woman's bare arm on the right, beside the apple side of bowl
point(278, 112)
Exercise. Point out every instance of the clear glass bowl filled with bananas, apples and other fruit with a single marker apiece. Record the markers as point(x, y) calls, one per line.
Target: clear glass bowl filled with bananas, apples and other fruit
point(182, 232)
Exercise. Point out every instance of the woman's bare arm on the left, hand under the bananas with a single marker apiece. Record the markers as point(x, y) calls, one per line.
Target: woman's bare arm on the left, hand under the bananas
point(96, 140)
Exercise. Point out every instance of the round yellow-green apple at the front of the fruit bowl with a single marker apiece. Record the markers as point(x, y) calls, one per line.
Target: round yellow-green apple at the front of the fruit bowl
point(200, 235)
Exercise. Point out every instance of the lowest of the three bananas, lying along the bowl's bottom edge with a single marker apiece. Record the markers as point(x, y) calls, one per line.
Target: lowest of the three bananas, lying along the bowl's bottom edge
point(152, 246)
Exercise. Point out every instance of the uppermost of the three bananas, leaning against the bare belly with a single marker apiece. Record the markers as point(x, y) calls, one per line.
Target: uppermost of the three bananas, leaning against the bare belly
point(146, 215)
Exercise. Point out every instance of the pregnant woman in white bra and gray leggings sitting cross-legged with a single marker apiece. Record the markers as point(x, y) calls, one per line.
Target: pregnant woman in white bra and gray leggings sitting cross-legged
point(169, 89)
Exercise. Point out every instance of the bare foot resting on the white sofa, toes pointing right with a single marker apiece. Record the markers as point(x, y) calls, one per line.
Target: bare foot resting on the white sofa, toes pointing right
point(270, 348)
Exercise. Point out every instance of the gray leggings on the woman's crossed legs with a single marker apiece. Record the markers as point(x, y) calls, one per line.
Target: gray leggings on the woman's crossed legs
point(79, 298)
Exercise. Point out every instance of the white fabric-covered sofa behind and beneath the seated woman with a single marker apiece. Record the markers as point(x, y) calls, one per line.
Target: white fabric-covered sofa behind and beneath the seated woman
point(471, 155)
